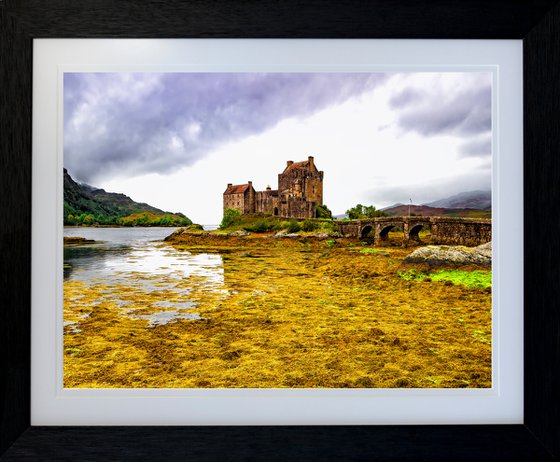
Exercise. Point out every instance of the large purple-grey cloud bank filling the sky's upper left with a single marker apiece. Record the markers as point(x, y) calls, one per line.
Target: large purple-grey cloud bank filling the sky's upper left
point(157, 123)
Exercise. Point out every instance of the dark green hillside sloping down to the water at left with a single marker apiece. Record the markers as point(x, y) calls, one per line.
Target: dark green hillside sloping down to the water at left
point(87, 205)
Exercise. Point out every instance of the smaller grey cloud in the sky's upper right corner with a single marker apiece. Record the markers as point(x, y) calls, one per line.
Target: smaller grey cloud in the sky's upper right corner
point(466, 113)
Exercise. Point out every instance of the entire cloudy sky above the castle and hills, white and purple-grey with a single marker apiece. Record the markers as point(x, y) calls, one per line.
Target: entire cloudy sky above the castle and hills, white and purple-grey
point(175, 140)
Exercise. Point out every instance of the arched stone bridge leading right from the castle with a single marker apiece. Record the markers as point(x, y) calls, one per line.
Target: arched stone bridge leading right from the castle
point(443, 230)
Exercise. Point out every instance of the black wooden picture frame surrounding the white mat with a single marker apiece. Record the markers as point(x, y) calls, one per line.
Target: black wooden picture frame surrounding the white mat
point(536, 22)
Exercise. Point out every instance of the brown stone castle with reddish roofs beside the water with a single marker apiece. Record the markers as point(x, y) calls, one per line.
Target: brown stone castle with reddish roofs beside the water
point(300, 191)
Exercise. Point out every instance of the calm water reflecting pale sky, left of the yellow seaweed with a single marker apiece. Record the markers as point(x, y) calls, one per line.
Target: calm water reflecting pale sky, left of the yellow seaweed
point(137, 260)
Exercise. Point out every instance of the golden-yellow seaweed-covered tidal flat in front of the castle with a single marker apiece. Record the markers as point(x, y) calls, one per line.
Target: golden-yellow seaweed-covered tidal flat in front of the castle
point(279, 313)
